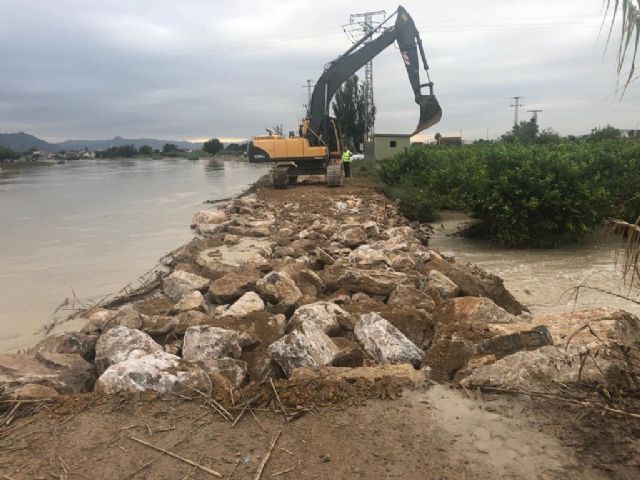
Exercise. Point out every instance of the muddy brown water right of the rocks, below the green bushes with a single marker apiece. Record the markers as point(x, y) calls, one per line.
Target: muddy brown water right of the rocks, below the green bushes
point(543, 279)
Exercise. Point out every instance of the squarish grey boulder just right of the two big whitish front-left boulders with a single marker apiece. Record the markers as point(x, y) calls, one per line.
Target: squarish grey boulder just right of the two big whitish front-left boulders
point(203, 342)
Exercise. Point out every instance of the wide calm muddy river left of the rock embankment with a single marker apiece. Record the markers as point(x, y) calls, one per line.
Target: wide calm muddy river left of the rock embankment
point(94, 226)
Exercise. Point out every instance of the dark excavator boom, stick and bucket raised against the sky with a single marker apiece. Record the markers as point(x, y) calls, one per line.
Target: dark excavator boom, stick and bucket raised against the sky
point(338, 71)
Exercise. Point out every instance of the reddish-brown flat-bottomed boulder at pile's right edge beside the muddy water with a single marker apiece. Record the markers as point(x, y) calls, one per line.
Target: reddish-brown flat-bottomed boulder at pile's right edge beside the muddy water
point(472, 310)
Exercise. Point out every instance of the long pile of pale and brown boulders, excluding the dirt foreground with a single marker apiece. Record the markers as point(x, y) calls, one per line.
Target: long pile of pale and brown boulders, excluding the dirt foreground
point(270, 289)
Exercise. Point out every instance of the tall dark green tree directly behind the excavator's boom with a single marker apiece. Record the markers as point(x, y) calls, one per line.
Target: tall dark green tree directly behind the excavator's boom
point(349, 108)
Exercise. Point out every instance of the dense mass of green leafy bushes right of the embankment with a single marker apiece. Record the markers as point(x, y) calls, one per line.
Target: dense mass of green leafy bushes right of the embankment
point(524, 195)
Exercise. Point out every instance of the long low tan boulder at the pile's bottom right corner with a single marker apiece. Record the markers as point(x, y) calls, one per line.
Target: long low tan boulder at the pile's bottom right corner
point(543, 368)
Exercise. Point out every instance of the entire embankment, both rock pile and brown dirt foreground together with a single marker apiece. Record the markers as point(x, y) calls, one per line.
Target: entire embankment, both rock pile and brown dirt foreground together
point(284, 314)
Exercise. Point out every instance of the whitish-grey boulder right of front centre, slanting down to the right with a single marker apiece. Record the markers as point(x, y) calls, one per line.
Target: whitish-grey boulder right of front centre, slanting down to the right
point(384, 342)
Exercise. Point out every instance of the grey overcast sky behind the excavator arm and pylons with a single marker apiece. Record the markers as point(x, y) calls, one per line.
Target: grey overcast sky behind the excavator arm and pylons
point(196, 69)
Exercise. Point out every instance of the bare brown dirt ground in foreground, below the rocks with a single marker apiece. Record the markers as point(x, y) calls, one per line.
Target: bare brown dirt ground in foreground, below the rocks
point(434, 433)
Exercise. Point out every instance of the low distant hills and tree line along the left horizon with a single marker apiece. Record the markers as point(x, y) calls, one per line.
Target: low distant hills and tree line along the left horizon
point(21, 142)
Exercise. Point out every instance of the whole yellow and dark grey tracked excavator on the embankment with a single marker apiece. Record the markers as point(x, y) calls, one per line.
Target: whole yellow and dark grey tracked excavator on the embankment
point(317, 149)
